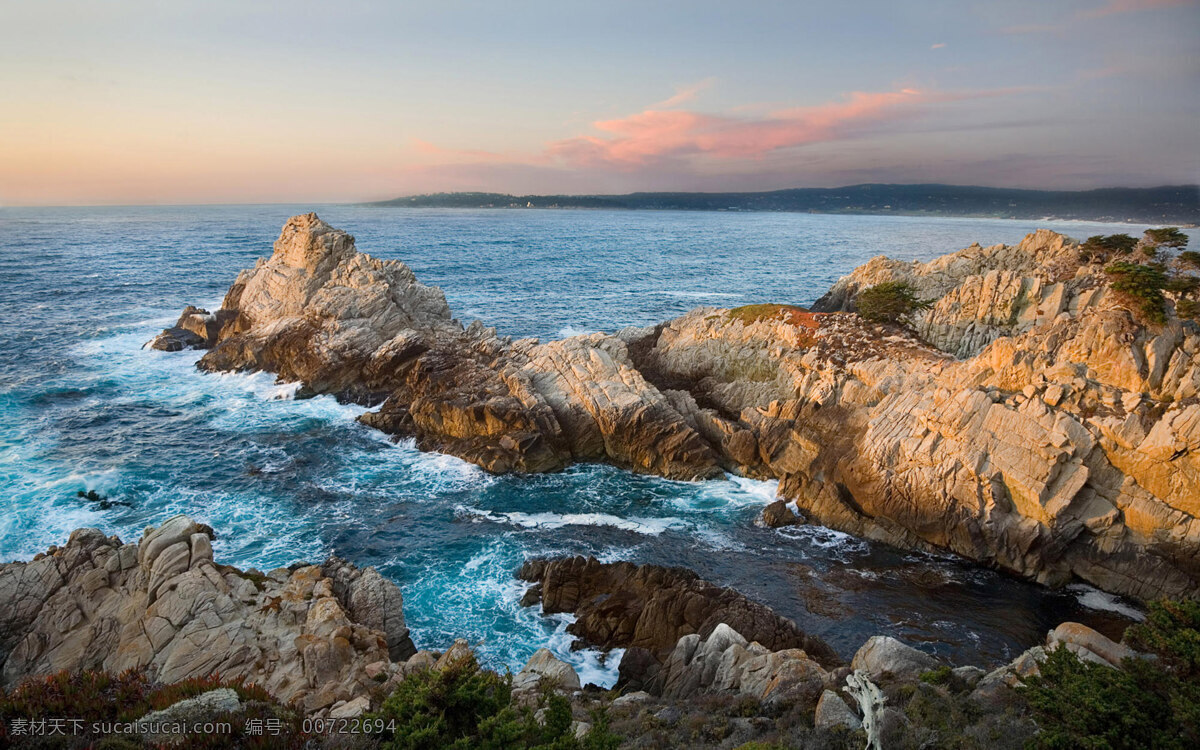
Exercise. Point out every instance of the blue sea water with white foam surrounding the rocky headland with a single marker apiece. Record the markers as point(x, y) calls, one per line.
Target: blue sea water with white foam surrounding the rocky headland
point(85, 407)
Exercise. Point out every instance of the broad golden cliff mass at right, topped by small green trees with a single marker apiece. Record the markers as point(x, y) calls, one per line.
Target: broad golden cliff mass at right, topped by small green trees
point(1052, 435)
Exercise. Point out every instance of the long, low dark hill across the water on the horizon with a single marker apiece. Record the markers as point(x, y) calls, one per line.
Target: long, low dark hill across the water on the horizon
point(1169, 205)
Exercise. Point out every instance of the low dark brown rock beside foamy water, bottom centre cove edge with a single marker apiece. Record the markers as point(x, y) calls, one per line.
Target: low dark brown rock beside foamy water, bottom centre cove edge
point(621, 605)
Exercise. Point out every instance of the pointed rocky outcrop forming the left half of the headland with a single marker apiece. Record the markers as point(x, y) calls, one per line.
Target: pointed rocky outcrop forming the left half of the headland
point(341, 322)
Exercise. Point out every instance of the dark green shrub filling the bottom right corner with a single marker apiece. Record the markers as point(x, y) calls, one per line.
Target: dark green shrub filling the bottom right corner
point(1149, 704)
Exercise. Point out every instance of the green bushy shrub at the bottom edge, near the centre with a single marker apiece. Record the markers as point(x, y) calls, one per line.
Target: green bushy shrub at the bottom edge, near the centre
point(464, 707)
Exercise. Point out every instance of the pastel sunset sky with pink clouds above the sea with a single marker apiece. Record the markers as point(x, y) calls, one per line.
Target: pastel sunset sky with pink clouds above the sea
point(131, 103)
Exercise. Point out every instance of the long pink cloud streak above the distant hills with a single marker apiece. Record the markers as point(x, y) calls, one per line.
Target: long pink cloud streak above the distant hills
point(655, 135)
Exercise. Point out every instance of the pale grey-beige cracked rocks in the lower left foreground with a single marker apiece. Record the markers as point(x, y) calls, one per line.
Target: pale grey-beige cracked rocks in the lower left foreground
point(307, 634)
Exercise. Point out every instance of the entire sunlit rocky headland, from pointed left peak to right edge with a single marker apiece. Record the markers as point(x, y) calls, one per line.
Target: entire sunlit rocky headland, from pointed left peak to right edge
point(1030, 424)
